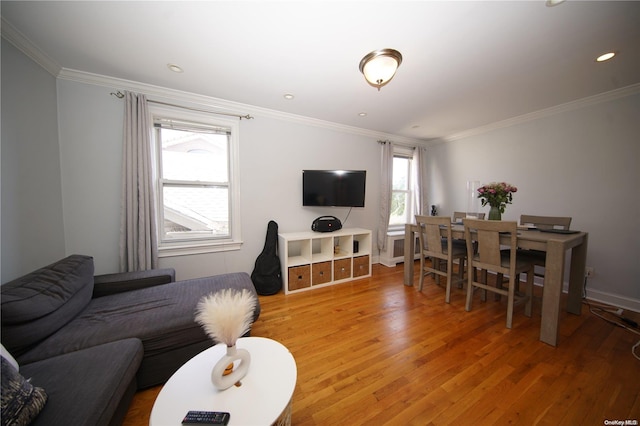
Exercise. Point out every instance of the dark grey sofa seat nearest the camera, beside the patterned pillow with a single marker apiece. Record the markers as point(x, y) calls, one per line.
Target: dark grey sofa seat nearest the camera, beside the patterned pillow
point(87, 387)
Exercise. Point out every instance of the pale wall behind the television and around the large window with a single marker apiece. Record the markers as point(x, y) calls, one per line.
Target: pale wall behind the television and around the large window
point(273, 153)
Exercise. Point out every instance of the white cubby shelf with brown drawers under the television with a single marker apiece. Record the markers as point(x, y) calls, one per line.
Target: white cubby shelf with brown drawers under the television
point(318, 259)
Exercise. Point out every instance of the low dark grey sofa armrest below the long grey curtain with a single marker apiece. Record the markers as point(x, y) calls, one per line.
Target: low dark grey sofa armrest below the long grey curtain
point(104, 285)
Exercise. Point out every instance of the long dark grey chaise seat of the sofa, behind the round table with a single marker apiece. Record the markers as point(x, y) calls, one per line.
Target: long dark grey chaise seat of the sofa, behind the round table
point(161, 316)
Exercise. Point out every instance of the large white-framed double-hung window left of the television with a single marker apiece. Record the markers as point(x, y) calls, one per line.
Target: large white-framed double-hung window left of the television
point(197, 180)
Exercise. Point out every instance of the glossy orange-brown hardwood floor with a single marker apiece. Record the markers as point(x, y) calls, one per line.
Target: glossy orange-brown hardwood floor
point(374, 351)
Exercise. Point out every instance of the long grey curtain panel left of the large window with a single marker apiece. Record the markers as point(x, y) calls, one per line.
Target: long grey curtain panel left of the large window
point(138, 237)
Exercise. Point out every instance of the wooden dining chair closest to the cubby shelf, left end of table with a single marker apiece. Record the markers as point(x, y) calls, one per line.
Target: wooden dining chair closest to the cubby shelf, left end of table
point(439, 250)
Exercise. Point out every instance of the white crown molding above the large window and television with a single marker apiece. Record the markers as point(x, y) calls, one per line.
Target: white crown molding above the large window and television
point(164, 94)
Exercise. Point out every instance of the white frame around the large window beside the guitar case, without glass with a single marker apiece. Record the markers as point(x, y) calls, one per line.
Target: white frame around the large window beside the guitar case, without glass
point(193, 244)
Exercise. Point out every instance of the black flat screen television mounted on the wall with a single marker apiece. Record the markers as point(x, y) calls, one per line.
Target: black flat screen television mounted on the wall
point(333, 188)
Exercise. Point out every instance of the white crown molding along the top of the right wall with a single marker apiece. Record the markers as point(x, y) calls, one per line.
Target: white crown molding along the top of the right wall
point(547, 112)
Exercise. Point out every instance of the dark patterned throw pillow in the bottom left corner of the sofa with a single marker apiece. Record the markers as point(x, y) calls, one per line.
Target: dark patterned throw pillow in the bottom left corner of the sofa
point(21, 401)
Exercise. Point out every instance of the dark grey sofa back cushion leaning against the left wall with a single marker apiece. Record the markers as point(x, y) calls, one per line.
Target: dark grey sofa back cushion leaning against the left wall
point(38, 304)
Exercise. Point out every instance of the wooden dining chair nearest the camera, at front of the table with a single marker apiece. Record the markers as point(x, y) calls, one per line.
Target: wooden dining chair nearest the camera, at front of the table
point(489, 256)
